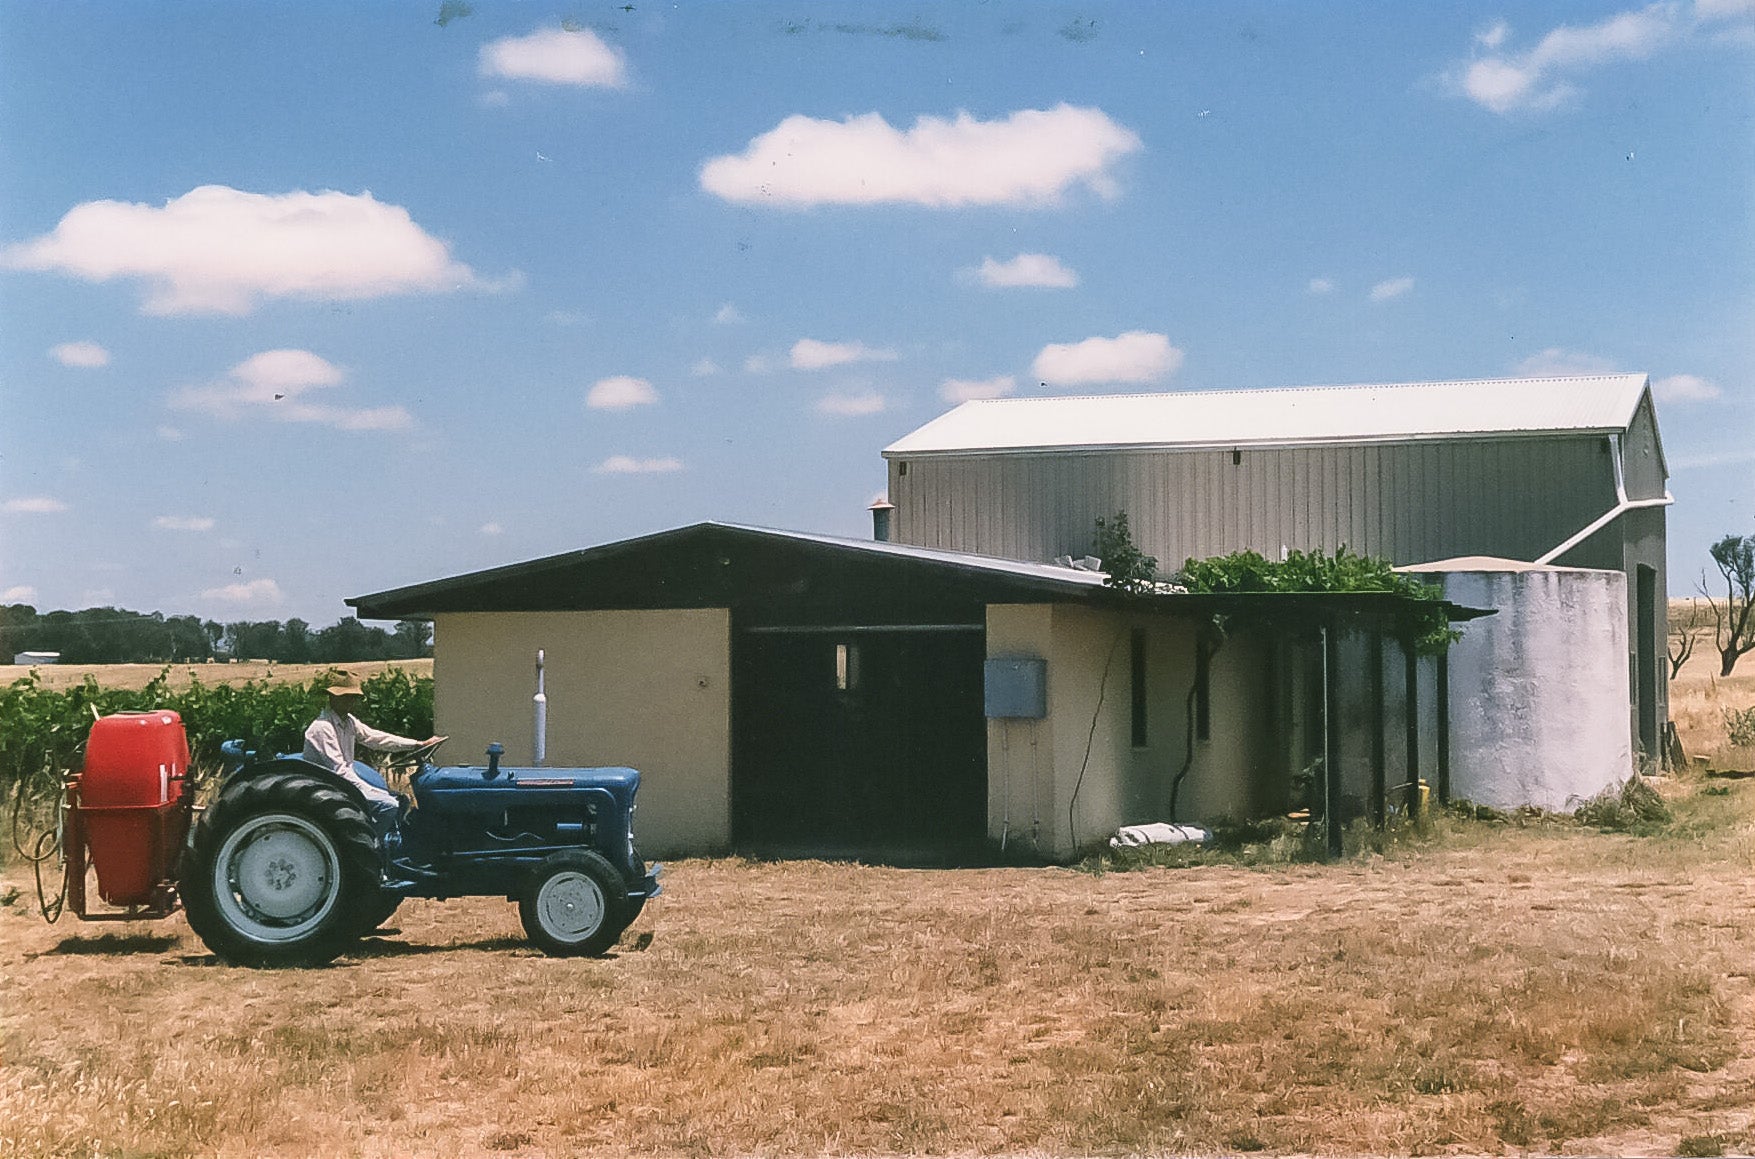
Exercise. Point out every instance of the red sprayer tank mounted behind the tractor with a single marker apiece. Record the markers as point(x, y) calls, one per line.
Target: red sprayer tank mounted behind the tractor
point(131, 802)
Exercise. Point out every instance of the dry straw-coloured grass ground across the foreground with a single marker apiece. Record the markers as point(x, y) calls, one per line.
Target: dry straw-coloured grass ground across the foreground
point(1486, 990)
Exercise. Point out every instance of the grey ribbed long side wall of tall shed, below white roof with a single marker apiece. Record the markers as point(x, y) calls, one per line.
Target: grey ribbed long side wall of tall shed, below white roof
point(1405, 501)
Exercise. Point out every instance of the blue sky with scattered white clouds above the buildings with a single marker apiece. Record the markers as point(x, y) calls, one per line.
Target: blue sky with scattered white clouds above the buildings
point(308, 301)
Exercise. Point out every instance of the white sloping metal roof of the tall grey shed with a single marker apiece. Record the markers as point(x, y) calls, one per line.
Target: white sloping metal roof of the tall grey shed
point(1366, 414)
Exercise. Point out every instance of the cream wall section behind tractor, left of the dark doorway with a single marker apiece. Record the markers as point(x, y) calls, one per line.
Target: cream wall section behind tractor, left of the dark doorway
point(645, 689)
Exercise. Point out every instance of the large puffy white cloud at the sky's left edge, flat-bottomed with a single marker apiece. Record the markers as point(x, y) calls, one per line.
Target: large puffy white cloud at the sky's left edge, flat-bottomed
point(220, 250)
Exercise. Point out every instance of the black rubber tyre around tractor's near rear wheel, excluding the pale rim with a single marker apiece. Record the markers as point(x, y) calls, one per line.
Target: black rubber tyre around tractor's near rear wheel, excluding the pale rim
point(355, 846)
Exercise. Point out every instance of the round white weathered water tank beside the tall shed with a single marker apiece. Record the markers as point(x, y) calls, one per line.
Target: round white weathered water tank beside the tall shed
point(1538, 693)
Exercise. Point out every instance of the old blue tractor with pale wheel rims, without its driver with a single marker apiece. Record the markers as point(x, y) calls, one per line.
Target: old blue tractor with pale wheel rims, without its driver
point(289, 865)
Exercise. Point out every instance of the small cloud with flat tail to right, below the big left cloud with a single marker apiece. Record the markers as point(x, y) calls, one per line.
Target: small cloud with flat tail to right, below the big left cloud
point(275, 384)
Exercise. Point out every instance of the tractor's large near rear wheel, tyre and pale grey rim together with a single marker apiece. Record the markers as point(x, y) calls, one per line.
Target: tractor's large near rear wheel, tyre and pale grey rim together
point(283, 872)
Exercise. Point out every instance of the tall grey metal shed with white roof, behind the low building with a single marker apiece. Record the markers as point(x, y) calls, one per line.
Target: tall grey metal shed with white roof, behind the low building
point(1547, 470)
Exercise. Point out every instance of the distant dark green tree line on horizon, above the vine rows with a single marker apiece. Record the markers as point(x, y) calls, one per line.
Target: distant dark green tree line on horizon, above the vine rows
point(120, 637)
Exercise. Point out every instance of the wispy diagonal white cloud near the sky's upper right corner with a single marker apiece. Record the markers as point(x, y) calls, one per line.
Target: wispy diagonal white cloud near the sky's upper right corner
point(1535, 80)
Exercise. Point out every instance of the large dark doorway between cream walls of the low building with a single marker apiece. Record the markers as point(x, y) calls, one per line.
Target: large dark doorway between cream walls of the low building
point(859, 744)
